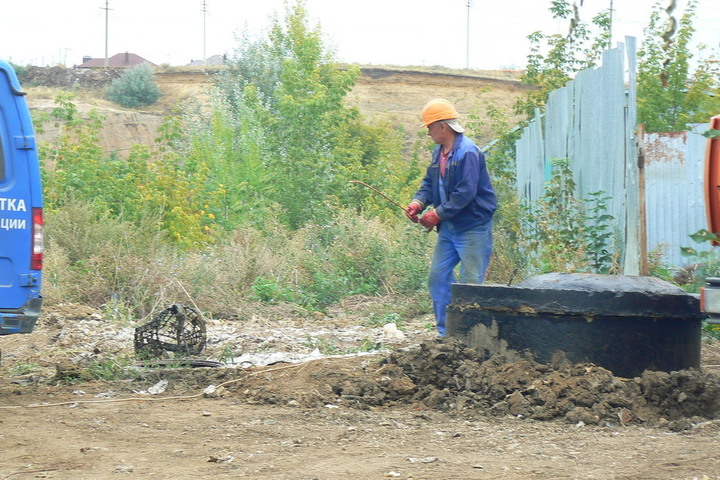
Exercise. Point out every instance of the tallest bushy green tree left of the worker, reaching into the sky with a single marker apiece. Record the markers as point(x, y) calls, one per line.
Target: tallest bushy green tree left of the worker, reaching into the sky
point(285, 97)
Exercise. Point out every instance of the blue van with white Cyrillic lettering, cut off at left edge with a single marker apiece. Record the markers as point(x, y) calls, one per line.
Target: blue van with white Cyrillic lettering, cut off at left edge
point(21, 217)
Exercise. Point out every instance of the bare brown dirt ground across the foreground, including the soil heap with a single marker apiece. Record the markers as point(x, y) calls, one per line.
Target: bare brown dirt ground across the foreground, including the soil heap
point(403, 404)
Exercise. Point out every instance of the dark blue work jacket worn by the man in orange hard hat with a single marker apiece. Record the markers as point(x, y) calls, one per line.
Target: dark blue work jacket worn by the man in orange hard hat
point(469, 197)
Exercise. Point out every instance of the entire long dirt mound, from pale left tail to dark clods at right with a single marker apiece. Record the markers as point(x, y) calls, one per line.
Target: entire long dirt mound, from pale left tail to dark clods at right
point(445, 375)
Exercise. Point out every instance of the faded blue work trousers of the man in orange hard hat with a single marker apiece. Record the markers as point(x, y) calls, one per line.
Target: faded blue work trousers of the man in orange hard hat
point(471, 249)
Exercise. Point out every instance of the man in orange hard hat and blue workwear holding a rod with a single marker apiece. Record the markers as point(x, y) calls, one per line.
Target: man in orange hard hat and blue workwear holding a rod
point(457, 185)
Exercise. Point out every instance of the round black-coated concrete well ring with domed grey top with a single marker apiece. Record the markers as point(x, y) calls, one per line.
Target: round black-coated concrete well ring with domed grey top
point(622, 323)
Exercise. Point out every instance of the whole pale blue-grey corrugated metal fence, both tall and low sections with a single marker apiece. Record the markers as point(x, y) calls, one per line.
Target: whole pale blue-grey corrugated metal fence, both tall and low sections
point(592, 122)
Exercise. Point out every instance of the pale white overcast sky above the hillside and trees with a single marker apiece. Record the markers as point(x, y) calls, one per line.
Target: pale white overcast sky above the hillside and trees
point(396, 32)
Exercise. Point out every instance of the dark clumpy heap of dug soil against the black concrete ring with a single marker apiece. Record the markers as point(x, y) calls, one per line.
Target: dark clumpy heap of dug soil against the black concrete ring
point(450, 376)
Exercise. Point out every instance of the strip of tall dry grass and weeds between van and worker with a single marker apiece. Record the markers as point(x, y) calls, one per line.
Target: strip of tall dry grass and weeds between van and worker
point(108, 263)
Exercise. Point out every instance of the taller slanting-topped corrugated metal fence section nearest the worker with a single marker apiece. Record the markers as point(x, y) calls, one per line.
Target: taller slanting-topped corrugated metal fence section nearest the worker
point(591, 122)
